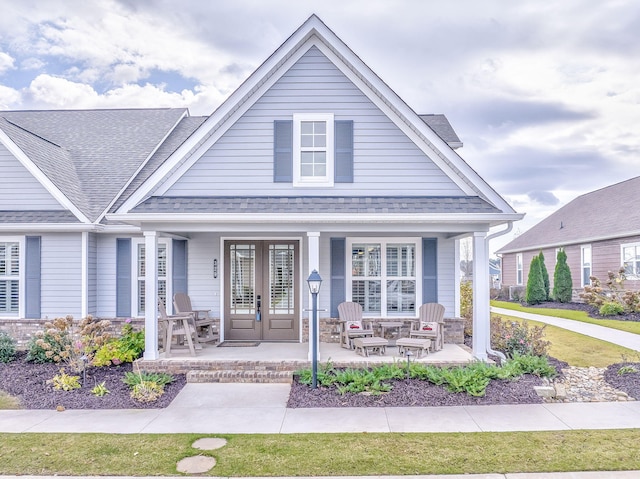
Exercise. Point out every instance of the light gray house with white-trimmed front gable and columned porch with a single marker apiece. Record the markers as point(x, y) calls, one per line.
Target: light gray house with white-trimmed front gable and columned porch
point(312, 163)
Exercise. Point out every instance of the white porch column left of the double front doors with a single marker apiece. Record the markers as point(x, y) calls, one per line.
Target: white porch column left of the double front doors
point(151, 295)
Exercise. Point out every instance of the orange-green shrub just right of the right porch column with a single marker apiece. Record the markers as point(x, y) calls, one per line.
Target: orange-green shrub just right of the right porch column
point(518, 338)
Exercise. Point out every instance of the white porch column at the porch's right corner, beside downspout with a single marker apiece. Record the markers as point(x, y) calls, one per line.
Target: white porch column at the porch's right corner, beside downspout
point(481, 306)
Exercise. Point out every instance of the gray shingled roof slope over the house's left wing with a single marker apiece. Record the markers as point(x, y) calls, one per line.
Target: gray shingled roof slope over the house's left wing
point(90, 155)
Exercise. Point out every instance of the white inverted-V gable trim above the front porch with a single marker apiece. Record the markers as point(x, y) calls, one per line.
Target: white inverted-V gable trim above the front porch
point(314, 33)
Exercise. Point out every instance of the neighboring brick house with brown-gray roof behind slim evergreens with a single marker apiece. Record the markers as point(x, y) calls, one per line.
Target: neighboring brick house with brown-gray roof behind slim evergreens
point(599, 232)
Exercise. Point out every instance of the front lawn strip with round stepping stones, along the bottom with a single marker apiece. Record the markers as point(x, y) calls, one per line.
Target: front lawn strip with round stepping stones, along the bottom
point(324, 454)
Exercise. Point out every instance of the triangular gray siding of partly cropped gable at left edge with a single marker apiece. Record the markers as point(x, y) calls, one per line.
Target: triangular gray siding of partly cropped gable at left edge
point(19, 189)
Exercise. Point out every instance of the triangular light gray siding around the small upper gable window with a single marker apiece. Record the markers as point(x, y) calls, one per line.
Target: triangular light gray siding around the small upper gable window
point(386, 162)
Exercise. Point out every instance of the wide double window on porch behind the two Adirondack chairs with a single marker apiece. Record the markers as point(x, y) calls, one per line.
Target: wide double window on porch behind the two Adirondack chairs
point(383, 276)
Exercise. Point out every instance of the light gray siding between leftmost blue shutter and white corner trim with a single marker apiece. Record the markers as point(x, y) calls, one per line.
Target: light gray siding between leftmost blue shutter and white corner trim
point(62, 275)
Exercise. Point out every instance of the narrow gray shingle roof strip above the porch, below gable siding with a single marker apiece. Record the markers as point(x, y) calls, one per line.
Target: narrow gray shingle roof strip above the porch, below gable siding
point(316, 204)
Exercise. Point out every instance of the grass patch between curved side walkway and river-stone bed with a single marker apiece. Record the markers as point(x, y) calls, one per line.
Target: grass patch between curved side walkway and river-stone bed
point(578, 349)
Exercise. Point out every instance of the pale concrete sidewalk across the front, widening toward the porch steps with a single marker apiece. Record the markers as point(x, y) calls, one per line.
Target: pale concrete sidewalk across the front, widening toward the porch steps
point(261, 408)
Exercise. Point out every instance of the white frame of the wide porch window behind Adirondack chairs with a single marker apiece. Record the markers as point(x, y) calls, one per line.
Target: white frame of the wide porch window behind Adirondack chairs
point(417, 242)
